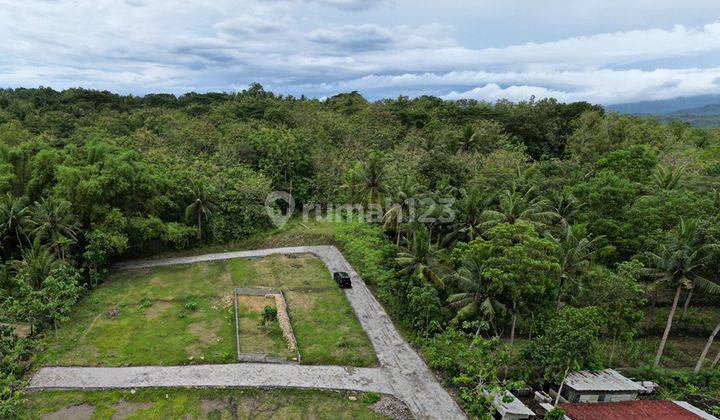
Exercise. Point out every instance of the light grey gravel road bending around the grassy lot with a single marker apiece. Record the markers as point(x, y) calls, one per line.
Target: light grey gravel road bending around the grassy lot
point(401, 373)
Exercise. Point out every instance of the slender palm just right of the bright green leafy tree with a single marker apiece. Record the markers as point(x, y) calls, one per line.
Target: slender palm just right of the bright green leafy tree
point(575, 251)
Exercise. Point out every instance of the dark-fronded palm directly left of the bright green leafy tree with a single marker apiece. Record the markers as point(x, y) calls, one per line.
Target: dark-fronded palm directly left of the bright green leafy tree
point(476, 299)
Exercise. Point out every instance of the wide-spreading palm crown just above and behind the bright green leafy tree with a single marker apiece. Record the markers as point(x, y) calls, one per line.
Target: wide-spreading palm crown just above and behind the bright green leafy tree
point(514, 205)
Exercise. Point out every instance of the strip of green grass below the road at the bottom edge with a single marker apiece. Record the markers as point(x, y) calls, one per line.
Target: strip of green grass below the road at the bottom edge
point(199, 404)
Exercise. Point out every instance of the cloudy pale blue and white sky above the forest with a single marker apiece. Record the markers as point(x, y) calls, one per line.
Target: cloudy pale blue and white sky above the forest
point(602, 51)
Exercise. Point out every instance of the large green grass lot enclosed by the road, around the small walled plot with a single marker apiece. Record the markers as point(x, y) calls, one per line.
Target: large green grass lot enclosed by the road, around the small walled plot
point(183, 314)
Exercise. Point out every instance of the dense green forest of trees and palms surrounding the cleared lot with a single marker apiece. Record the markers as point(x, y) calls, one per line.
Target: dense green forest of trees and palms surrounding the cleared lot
point(569, 222)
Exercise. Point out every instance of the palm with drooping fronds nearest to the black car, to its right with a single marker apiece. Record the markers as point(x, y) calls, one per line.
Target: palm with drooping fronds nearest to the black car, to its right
point(420, 258)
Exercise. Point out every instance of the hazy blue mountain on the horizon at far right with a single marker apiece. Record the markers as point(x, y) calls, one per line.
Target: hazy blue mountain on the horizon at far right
point(699, 111)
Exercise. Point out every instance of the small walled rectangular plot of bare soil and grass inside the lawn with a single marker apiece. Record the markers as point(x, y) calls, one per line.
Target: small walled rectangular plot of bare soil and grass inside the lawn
point(256, 339)
